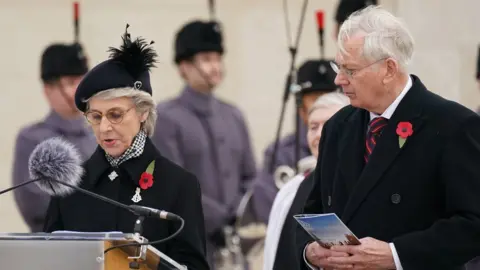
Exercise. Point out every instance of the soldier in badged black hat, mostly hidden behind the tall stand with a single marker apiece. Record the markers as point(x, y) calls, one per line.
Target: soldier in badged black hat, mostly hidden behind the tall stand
point(316, 77)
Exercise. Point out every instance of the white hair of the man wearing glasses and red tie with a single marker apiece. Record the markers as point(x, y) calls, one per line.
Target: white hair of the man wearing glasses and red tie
point(385, 35)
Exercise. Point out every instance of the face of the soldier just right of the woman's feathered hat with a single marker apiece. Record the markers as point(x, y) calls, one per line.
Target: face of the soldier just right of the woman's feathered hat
point(204, 72)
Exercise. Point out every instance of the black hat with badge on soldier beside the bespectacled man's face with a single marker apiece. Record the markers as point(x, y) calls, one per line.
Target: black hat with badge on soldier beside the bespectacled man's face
point(316, 76)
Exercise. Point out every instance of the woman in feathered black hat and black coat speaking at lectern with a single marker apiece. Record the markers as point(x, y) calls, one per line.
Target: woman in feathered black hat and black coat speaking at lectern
point(116, 98)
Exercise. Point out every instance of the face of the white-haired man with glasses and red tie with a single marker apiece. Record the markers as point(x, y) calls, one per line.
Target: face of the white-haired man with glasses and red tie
point(360, 79)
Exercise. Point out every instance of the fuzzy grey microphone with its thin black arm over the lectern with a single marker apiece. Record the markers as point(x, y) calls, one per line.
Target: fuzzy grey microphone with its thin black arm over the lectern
point(56, 168)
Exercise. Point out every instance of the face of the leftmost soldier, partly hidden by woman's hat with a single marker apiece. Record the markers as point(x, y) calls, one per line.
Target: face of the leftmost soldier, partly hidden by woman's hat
point(61, 96)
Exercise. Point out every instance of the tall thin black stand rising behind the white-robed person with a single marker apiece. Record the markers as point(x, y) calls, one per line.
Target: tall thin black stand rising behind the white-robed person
point(290, 86)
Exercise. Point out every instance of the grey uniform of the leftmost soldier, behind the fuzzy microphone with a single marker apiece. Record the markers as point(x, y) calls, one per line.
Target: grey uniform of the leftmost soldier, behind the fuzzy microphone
point(31, 201)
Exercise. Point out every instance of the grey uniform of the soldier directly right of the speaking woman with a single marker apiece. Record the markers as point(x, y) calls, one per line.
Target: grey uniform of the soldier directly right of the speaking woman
point(210, 139)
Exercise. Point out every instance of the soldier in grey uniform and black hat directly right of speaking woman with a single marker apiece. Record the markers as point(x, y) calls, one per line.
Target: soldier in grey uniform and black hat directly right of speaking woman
point(203, 134)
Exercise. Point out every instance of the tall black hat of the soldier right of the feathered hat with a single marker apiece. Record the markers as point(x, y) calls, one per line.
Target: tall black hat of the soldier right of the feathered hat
point(198, 36)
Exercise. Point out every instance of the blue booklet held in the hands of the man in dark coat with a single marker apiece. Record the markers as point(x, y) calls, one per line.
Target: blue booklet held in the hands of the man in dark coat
point(327, 229)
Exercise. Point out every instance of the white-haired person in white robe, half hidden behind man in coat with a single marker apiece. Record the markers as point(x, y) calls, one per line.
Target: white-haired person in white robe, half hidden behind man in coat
point(280, 241)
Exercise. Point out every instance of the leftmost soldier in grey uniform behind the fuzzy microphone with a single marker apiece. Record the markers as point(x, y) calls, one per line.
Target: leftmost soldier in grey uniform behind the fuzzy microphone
point(62, 68)
